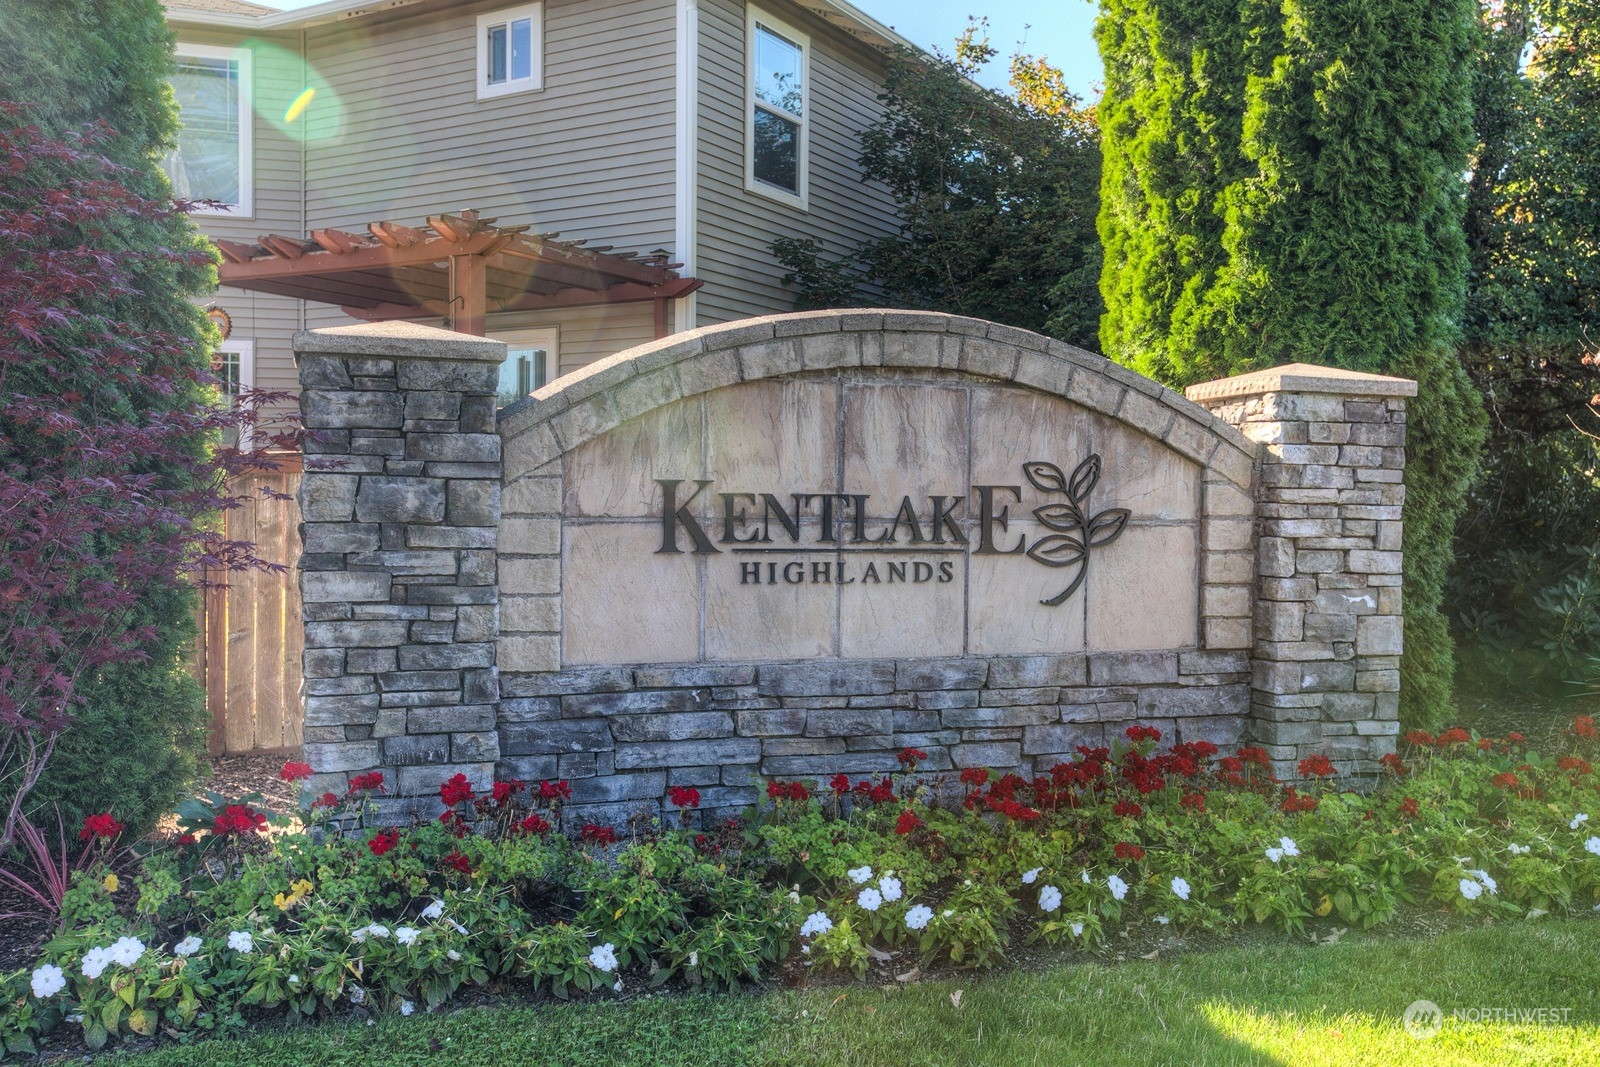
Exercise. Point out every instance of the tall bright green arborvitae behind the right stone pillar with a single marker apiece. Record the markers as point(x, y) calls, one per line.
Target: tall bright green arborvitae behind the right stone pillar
point(1282, 183)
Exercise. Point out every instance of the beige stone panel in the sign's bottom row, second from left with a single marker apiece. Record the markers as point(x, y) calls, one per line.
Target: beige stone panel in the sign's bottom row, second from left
point(772, 617)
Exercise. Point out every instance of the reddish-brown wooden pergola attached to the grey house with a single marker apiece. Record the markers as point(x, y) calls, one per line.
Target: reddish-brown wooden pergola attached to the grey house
point(458, 268)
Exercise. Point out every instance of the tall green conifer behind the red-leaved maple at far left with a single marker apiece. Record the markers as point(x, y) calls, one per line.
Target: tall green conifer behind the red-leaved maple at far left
point(138, 717)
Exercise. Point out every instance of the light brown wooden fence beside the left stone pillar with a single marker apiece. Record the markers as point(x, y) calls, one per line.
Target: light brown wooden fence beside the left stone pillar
point(249, 655)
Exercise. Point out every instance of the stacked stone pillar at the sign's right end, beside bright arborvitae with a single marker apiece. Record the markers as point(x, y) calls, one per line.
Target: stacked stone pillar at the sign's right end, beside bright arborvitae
point(1326, 660)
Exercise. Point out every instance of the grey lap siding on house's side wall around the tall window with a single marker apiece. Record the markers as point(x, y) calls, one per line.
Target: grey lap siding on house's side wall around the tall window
point(737, 228)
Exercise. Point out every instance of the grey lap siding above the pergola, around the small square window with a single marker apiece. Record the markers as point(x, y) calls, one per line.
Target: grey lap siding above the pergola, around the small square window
point(591, 156)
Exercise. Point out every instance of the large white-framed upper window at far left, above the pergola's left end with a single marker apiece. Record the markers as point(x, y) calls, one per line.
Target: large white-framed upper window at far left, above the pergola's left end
point(212, 159)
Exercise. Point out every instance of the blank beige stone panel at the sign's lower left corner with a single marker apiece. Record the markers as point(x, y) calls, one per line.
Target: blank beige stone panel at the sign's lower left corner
point(625, 604)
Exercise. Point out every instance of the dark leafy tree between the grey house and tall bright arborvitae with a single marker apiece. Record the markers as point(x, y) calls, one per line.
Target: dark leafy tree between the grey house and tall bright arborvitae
point(998, 201)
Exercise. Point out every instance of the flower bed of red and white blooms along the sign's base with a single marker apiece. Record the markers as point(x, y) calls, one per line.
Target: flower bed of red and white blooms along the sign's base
point(233, 919)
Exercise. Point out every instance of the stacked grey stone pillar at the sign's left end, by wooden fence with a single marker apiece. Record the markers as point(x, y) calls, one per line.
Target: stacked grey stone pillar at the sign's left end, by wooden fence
point(401, 516)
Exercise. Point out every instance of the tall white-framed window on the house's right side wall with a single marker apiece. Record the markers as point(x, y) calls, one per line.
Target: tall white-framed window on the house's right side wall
point(778, 103)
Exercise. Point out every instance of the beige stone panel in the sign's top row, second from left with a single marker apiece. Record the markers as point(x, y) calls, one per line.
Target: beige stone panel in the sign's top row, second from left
point(777, 438)
